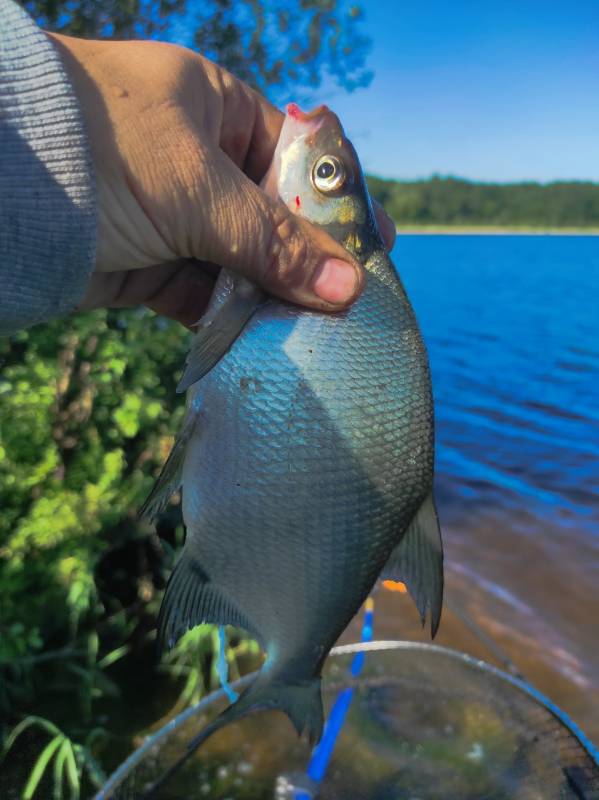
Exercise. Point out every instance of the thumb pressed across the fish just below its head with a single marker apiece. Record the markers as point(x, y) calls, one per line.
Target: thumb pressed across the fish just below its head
point(250, 233)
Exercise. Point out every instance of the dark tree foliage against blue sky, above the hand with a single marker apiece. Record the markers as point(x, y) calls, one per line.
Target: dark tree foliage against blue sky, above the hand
point(276, 48)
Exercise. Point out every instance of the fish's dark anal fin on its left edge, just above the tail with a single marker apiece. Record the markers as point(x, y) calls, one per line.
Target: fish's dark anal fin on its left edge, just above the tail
point(191, 599)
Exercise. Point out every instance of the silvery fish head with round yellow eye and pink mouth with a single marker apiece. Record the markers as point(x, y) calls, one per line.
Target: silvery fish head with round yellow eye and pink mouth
point(316, 172)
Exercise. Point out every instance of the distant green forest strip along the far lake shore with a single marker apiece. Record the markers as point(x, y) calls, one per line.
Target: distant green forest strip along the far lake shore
point(450, 201)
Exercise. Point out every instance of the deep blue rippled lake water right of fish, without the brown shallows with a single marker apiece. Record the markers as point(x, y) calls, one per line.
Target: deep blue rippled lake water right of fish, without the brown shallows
point(512, 326)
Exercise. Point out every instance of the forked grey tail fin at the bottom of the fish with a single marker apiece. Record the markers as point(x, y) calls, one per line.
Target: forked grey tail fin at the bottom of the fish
point(301, 701)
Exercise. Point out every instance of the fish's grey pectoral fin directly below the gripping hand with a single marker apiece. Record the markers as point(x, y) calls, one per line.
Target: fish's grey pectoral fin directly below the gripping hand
point(233, 302)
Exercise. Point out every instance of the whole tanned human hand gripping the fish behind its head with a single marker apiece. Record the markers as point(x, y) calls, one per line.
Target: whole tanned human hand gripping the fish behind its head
point(179, 146)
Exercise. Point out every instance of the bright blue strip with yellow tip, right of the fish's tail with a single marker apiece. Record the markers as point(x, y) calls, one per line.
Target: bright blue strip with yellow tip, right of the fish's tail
point(321, 755)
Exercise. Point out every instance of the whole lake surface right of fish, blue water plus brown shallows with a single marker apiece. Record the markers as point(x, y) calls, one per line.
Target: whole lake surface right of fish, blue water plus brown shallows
point(512, 327)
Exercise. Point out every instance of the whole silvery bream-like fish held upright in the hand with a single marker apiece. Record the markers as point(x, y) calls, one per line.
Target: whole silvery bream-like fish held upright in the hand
point(306, 454)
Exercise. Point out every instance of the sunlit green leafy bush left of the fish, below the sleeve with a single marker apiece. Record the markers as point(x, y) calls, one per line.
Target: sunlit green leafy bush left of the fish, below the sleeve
point(87, 414)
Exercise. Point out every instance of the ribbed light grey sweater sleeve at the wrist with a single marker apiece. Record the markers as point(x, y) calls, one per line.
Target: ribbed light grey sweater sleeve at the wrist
point(47, 195)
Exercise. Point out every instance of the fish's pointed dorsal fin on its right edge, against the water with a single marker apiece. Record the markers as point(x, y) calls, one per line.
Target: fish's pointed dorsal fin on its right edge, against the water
point(418, 561)
